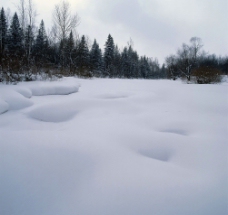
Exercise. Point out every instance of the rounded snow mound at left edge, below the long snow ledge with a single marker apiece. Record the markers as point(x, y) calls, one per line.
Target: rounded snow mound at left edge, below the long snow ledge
point(15, 100)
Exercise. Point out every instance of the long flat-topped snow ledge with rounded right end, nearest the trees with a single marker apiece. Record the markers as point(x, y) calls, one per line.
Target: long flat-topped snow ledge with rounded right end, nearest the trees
point(43, 89)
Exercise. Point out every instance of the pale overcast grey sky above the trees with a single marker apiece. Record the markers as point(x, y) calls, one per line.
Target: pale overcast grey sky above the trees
point(157, 27)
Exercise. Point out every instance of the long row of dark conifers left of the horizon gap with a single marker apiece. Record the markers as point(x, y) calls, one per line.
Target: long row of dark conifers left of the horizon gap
point(27, 53)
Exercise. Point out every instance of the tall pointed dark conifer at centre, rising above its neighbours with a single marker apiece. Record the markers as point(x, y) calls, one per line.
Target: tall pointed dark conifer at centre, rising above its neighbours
point(109, 55)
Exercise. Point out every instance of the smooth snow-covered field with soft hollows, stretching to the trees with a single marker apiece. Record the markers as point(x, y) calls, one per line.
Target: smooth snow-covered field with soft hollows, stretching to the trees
point(113, 147)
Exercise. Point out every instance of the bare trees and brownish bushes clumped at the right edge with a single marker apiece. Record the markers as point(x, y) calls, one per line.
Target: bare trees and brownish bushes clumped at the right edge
point(194, 64)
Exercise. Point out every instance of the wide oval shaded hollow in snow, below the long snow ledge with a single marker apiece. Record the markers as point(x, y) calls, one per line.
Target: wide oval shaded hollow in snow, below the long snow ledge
point(52, 113)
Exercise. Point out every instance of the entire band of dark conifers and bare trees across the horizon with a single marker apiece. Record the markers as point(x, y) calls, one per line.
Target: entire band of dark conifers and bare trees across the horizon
point(29, 52)
